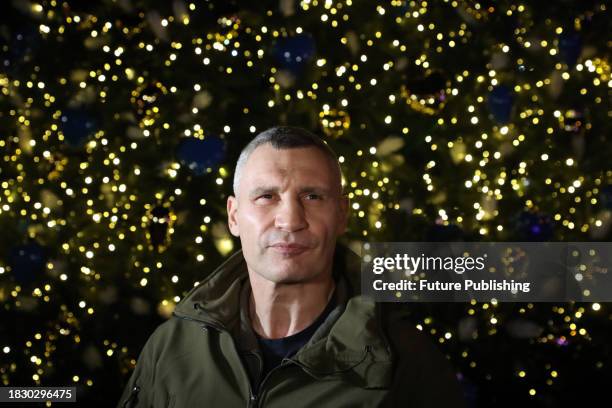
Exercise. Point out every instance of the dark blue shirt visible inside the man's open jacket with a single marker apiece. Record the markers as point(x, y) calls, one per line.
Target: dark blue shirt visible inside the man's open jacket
point(274, 350)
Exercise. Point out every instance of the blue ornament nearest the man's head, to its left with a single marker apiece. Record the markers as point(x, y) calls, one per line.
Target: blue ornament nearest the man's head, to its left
point(201, 154)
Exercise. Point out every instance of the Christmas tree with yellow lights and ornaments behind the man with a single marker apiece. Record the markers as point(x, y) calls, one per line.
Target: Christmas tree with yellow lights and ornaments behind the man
point(121, 121)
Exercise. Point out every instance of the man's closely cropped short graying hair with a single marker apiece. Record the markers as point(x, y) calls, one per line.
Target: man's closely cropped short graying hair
point(281, 138)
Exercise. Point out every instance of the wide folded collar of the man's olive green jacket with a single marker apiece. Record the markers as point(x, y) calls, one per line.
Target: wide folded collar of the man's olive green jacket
point(350, 339)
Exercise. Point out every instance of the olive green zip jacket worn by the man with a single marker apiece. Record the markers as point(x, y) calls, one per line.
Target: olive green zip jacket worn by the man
point(363, 355)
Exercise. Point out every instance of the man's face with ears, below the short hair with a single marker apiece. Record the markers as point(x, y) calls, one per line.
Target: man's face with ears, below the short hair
point(288, 213)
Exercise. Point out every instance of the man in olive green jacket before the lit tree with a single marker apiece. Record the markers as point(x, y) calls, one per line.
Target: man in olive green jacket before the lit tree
point(281, 322)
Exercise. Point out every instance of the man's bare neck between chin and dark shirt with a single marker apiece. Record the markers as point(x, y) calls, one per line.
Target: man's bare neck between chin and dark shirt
point(281, 310)
